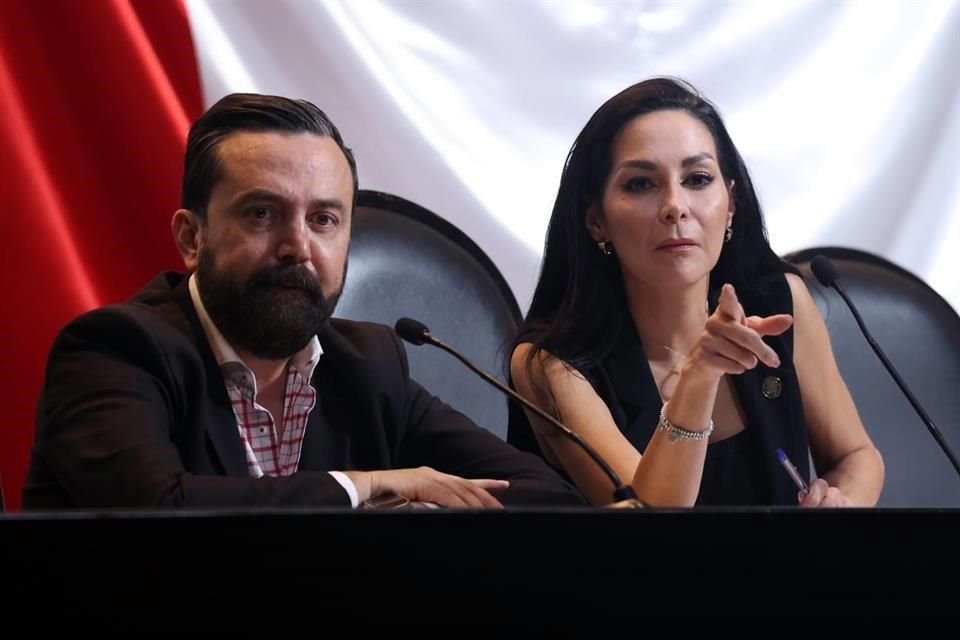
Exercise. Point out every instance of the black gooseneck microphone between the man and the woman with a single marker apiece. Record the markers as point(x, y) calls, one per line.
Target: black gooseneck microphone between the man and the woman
point(416, 333)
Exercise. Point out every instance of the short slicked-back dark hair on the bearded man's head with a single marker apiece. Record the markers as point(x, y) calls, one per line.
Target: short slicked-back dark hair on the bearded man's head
point(246, 112)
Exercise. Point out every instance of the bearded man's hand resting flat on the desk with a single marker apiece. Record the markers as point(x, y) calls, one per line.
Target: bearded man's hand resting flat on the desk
point(427, 485)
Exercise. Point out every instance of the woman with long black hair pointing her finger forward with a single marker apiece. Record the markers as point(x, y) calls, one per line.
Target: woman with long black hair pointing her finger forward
point(669, 335)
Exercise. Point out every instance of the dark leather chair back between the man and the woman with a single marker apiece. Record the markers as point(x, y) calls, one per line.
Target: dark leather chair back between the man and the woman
point(407, 261)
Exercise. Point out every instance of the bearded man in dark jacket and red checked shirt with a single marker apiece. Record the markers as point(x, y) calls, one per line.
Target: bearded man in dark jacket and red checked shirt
point(231, 385)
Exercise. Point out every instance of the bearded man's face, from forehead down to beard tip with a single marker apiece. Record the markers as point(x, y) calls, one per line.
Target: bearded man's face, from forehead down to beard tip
point(273, 251)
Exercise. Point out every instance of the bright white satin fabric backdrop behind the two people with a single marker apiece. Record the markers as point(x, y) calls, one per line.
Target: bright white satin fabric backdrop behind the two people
point(847, 112)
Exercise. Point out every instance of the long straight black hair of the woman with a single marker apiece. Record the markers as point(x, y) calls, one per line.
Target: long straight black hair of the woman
point(579, 305)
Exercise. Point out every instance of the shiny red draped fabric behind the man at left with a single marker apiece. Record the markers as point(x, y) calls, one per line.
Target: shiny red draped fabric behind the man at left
point(96, 100)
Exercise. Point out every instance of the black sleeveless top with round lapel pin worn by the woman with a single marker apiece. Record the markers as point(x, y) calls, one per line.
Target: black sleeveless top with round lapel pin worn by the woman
point(740, 470)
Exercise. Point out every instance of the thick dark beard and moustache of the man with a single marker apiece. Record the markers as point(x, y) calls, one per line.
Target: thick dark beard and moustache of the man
point(273, 315)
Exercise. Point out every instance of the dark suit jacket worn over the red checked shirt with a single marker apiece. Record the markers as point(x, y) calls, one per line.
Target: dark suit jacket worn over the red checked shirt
point(134, 412)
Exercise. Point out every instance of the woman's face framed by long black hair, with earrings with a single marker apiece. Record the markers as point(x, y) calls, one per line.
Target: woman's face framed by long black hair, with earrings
point(665, 206)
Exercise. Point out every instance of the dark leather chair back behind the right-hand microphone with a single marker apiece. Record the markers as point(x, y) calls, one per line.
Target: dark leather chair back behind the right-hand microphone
point(920, 334)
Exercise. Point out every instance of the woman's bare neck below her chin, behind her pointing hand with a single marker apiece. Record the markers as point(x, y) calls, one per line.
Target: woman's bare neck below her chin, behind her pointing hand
point(668, 320)
